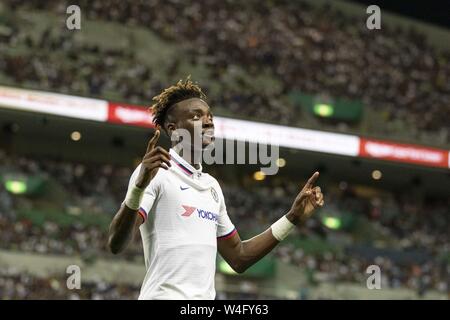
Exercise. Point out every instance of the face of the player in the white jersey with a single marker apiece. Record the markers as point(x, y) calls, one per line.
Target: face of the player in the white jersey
point(195, 116)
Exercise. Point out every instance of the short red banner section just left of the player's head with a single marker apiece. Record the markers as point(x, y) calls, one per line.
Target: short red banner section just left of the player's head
point(129, 114)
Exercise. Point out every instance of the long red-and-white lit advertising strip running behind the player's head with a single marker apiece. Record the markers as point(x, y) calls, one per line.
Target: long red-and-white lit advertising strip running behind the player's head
point(226, 128)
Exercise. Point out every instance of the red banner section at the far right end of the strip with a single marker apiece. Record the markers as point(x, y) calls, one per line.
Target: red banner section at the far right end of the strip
point(404, 153)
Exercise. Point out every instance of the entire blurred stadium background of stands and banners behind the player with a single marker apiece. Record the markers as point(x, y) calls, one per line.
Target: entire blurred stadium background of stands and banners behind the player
point(369, 109)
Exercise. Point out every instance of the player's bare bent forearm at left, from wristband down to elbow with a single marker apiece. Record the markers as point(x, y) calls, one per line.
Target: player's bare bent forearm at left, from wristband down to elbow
point(121, 229)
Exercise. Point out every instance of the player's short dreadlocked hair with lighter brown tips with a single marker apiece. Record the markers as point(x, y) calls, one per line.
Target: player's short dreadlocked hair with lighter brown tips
point(183, 90)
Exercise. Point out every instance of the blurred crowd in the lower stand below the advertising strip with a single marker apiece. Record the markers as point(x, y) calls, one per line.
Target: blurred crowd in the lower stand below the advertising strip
point(405, 223)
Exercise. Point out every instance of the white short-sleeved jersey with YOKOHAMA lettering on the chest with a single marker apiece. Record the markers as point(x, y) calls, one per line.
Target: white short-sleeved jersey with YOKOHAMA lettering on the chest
point(184, 211)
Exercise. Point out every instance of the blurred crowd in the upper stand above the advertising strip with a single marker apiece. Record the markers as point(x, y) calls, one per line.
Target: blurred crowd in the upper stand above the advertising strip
point(318, 51)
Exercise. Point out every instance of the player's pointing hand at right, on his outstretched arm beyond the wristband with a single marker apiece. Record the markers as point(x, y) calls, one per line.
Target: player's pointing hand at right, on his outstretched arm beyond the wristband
point(309, 198)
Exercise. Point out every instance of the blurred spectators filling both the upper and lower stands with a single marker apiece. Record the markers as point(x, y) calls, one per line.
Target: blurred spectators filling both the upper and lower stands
point(318, 51)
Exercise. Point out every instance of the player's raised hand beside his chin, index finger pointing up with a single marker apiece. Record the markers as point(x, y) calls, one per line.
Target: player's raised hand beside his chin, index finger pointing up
point(154, 158)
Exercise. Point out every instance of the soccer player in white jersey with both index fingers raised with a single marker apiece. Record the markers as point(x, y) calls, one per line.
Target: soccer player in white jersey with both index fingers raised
point(181, 213)
